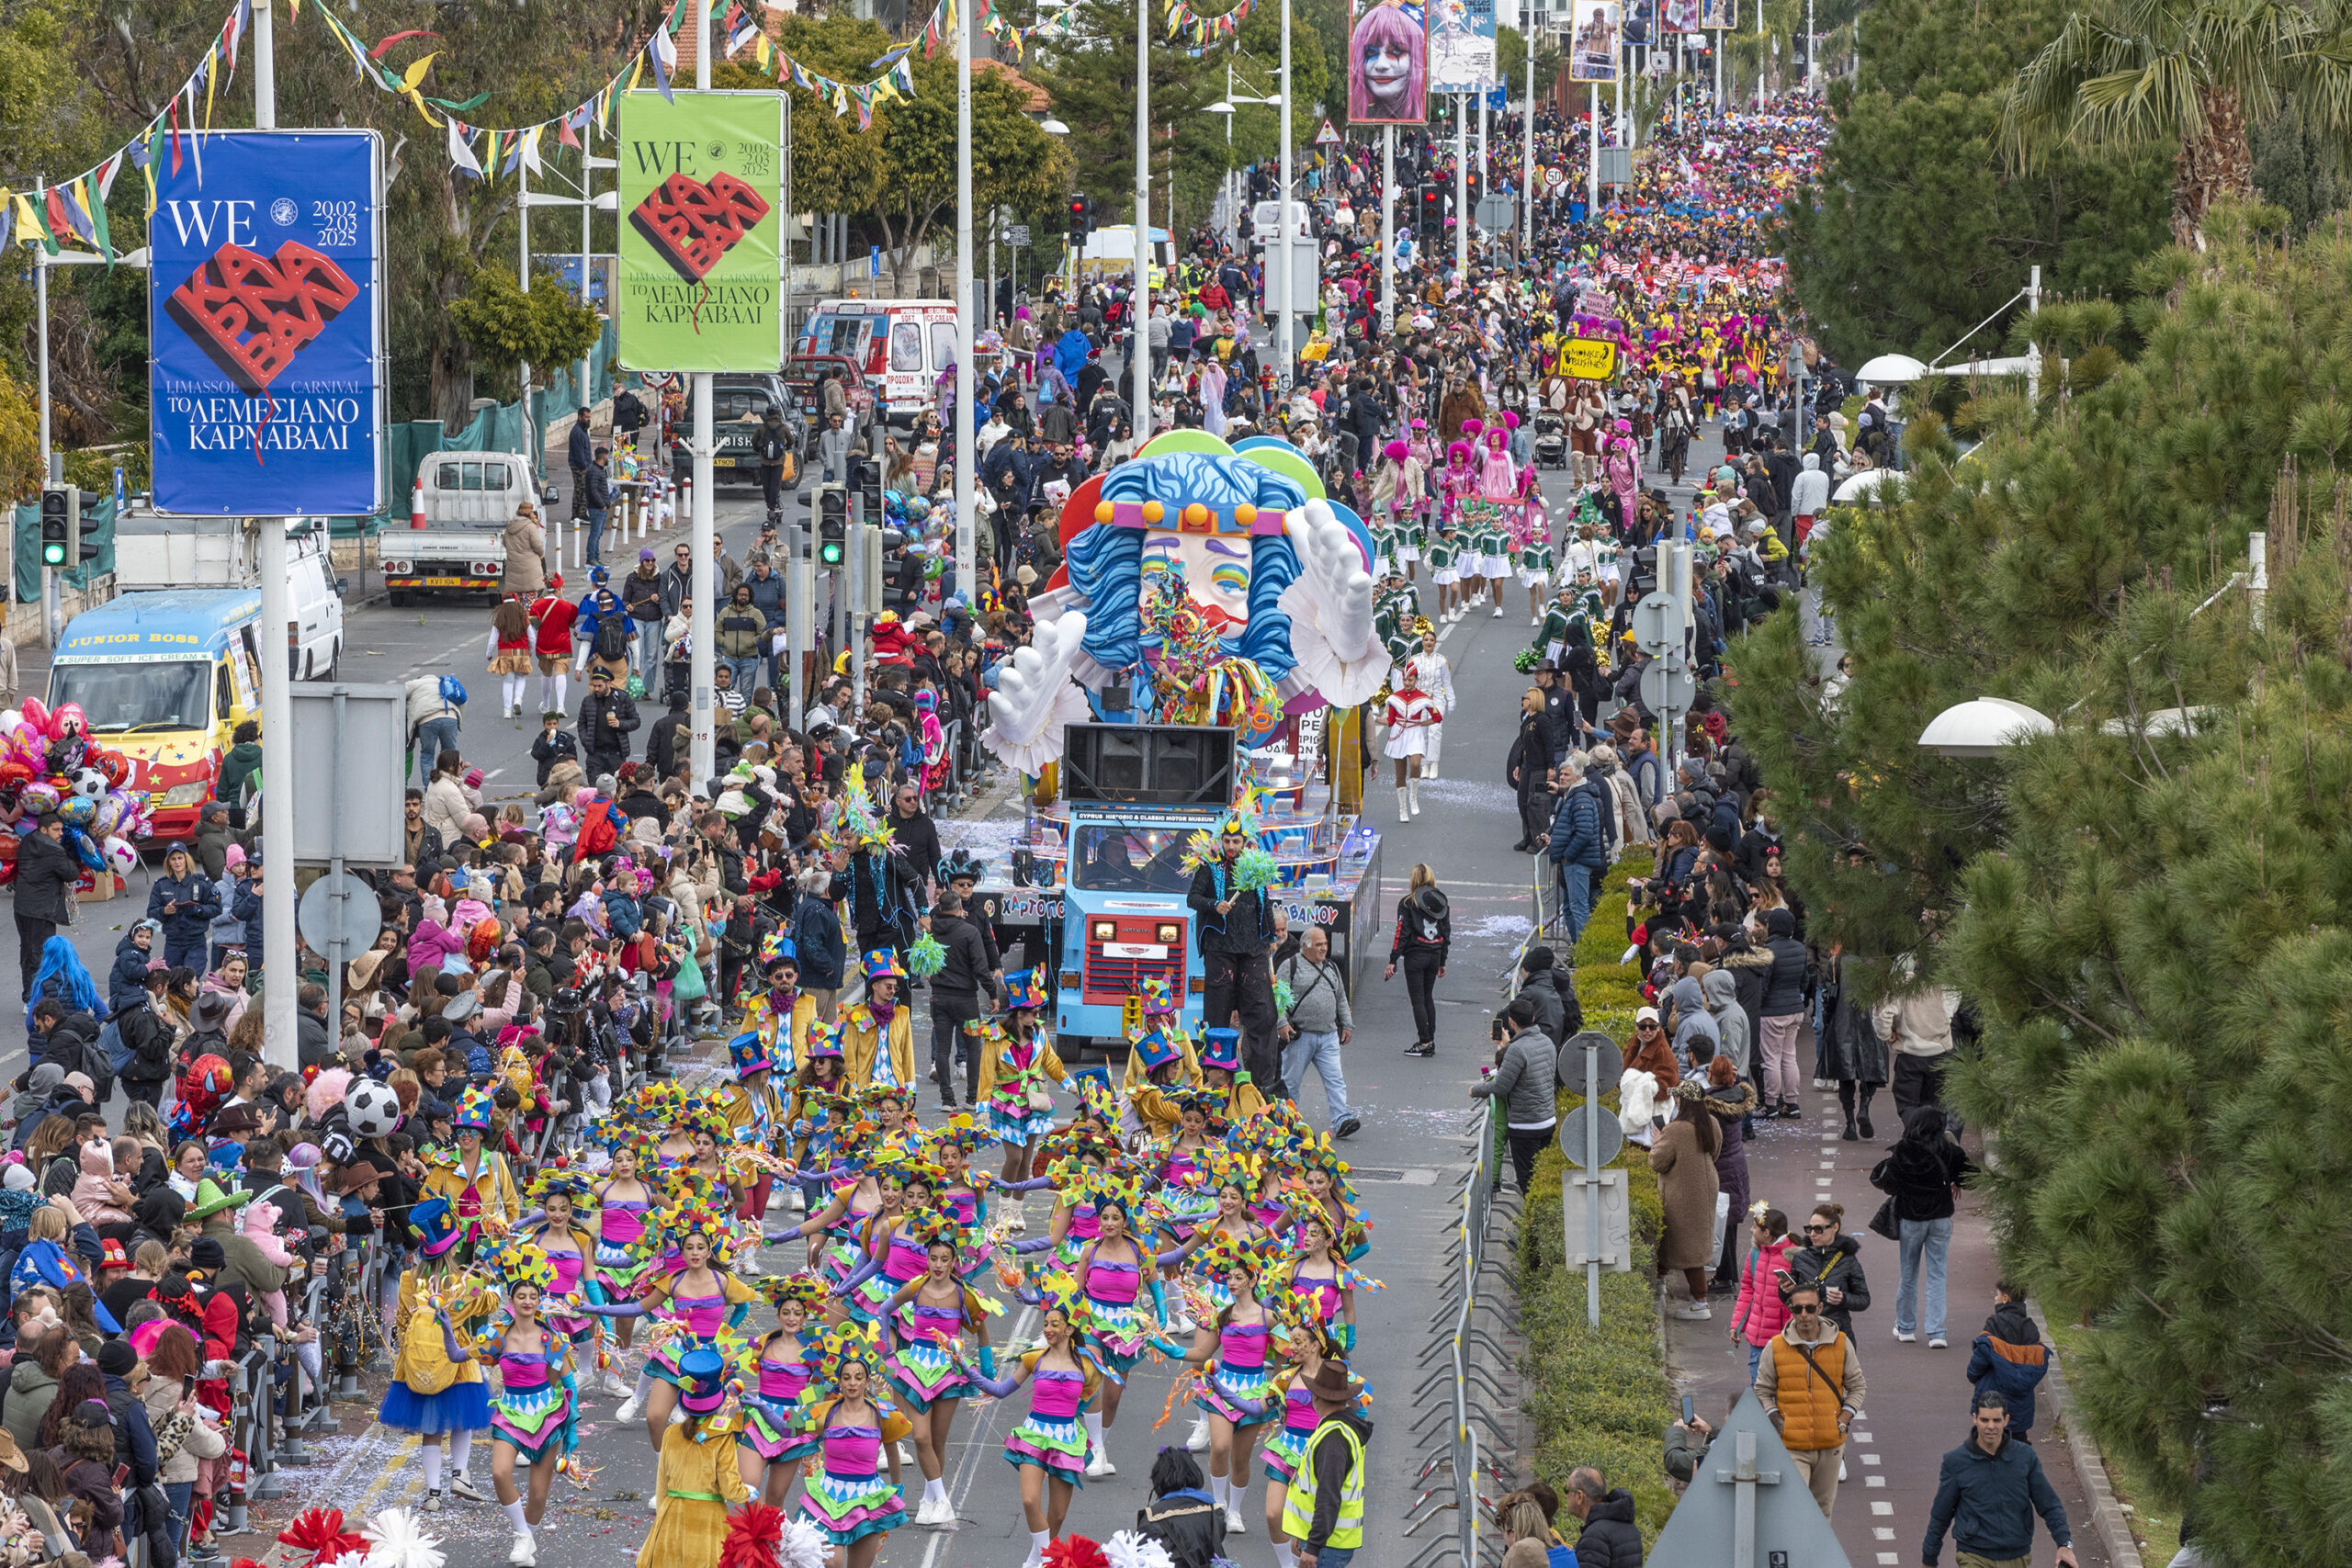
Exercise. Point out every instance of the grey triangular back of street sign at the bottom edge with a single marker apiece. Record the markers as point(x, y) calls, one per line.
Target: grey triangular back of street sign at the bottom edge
point(1749, 1503)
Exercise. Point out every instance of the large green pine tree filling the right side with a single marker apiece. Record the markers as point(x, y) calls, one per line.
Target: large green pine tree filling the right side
point(2156, 930)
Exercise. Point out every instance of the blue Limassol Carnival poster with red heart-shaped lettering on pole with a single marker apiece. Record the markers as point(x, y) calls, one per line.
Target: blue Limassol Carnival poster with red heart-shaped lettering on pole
point(267, 323)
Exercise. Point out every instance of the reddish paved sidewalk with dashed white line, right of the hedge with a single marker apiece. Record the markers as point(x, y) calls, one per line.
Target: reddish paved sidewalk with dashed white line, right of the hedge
point(1918, 1402)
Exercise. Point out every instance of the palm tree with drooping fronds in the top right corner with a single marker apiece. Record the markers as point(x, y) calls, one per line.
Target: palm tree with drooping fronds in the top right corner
point(2184, 76)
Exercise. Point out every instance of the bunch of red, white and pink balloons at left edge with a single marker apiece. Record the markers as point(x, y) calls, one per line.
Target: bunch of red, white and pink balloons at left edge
point(51, 768)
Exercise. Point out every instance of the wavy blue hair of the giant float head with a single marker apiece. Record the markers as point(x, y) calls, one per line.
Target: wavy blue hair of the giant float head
point(1163, 492)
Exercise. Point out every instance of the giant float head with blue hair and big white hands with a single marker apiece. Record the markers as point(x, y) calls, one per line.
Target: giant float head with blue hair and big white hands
point(1217, 579)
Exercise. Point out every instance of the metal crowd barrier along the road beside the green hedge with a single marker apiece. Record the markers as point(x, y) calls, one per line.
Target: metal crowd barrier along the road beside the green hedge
point(1450, 1473)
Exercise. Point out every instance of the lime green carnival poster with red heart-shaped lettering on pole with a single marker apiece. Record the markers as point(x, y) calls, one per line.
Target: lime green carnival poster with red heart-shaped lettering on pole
point(702, 222)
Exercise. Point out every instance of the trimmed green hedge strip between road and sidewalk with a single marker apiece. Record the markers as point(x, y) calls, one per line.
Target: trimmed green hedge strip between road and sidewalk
point(1598, 1398)
